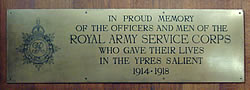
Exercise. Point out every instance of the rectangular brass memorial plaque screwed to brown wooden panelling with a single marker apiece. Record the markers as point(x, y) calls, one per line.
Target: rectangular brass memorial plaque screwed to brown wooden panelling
point(125, 45)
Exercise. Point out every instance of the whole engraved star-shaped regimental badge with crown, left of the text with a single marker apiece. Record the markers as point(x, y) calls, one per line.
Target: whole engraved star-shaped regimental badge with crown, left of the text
point(37, 47)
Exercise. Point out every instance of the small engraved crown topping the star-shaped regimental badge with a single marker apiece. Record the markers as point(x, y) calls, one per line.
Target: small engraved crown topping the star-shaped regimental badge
point(38, 29)
